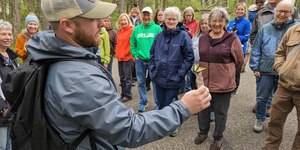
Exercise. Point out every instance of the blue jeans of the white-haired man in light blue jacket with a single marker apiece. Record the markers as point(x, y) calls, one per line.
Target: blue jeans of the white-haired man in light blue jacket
point(266, 85)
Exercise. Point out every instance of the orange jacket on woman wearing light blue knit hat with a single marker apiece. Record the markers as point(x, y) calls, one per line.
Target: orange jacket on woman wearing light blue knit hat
point(20, 48)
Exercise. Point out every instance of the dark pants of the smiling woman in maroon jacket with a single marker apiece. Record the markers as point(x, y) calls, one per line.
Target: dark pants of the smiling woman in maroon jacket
point(221, 105)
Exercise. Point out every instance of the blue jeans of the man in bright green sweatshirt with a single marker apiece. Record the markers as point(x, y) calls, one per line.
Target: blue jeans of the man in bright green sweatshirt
point(141, 70)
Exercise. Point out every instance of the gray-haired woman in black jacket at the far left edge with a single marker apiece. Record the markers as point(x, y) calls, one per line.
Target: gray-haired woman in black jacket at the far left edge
point(7, 63)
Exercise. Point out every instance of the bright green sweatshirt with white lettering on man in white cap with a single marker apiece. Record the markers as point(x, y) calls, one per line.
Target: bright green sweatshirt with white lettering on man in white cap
point(141, 40)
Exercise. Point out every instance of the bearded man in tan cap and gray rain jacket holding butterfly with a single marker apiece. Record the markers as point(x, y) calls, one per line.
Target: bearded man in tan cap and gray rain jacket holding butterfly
point(80, 96)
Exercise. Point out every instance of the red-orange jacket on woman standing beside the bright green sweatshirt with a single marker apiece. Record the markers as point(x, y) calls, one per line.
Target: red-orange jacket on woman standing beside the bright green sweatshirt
point(123, 44)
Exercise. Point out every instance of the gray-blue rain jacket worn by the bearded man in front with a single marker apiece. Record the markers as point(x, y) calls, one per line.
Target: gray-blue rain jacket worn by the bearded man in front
point(79, 96)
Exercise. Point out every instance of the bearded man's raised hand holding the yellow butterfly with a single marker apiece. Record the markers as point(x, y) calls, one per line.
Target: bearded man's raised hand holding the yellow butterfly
point(197, 100)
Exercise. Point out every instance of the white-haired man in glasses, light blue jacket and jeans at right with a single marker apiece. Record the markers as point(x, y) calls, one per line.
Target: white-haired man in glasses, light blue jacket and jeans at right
point(263, 56)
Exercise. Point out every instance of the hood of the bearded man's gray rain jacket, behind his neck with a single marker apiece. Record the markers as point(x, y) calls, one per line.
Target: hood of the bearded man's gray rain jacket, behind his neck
point(45, 46)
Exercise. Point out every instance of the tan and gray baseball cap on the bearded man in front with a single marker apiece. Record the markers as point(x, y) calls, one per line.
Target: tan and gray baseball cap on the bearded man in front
point(55, 10)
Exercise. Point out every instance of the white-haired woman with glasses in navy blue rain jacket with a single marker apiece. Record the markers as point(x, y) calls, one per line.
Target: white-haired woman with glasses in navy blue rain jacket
point(171, 58)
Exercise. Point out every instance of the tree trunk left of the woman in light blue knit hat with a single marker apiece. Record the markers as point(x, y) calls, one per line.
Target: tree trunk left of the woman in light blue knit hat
point(16, 17)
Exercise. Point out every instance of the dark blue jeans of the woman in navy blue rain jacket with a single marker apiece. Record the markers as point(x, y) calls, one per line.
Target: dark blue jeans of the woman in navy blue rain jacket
point(165, 96)
